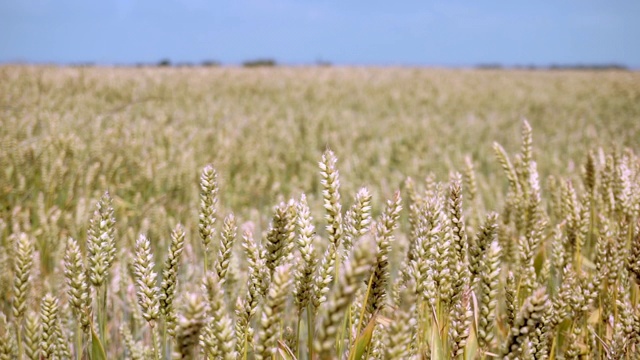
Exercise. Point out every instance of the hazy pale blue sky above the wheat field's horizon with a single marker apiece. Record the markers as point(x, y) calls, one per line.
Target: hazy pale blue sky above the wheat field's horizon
point(441, 33)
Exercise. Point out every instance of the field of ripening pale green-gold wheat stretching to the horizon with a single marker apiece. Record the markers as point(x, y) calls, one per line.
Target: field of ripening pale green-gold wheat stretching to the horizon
point(319, 213)
